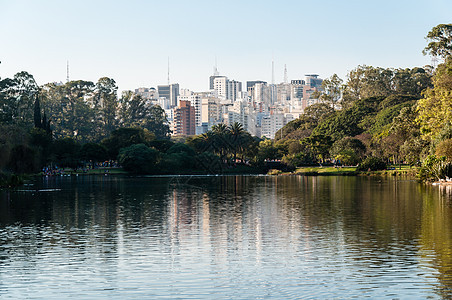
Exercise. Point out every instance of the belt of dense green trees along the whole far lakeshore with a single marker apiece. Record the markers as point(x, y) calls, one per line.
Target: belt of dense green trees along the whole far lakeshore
point(374, 117)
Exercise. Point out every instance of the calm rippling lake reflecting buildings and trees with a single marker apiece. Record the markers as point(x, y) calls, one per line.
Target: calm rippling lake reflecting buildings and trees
point(240, 237)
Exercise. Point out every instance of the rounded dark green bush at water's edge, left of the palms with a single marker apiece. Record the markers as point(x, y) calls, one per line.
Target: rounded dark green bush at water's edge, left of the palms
point(138, 159)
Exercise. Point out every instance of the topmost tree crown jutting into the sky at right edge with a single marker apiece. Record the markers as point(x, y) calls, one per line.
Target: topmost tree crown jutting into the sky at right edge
point(440, 44)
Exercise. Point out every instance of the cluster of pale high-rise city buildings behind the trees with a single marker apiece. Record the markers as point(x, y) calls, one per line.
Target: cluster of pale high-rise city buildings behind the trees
point(261, 108)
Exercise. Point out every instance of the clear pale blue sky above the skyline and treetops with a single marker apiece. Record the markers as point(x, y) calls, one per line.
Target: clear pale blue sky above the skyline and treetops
point(133, 41)
